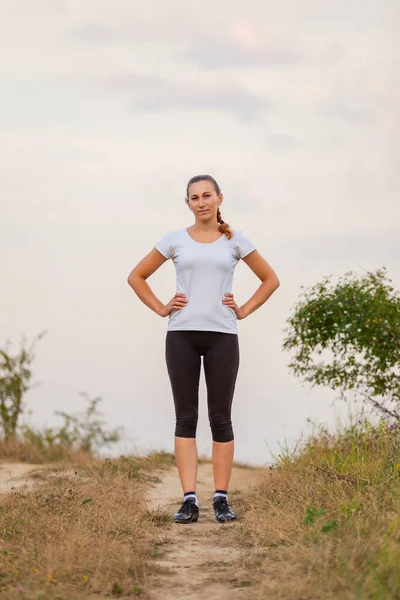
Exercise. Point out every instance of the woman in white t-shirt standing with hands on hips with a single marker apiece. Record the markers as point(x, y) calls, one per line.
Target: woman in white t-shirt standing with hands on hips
point(202, 321)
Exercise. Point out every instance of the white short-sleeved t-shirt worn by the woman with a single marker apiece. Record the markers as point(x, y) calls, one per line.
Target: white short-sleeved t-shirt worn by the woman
point(204, 272)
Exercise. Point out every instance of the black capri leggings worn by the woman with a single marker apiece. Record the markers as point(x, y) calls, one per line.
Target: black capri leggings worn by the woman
point(183, 351)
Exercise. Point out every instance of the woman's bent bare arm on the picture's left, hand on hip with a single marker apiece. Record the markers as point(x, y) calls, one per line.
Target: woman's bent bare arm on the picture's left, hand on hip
point(137, 280)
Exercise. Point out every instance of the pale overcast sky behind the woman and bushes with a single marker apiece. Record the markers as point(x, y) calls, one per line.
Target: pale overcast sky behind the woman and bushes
point(108, 108)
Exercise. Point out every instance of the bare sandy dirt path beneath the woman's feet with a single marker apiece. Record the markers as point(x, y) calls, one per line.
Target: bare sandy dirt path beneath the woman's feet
point(202, 560)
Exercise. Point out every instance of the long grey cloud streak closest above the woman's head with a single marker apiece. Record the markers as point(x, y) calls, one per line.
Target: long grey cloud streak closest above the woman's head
point(156, 94)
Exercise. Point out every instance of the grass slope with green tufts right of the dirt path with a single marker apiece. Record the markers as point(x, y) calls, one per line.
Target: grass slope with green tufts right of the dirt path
point(326, 522)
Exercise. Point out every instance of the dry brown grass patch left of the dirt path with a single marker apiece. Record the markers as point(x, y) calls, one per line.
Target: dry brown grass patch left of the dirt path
point(83, 535)
